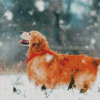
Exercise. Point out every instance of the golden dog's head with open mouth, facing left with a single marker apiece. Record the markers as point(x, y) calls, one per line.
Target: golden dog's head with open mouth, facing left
point(33, 39)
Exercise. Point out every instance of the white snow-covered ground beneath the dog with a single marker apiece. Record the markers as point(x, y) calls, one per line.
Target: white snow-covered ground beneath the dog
point(17, 87)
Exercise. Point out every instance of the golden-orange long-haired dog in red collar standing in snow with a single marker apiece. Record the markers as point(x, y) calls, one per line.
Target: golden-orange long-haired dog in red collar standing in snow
point(48, 68)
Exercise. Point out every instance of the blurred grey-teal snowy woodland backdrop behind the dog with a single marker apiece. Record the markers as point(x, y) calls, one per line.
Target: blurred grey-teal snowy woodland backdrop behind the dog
point(70, 26)
